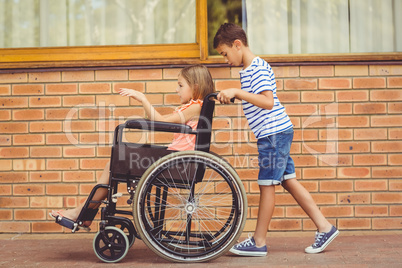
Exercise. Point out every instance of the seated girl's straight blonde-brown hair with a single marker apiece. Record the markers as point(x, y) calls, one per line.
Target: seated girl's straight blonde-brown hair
point(199, 79)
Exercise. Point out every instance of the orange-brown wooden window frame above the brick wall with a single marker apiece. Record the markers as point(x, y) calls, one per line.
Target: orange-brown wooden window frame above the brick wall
point(115, 56)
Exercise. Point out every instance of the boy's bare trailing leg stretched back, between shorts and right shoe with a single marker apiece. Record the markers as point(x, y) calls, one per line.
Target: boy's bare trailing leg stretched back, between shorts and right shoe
point(306, 202)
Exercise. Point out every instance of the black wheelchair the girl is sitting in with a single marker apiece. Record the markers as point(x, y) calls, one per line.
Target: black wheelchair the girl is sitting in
point(188, 206)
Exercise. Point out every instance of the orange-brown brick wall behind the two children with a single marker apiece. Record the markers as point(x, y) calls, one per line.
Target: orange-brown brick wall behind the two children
point(56, 128)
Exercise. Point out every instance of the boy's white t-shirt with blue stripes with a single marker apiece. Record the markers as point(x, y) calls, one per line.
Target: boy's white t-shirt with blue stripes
point(256, 78)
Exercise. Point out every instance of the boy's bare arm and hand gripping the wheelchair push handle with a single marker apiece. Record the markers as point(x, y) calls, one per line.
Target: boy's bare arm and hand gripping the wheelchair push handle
point(263, 100)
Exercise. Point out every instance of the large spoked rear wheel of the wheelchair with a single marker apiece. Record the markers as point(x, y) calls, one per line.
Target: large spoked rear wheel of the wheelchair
point(190, 207)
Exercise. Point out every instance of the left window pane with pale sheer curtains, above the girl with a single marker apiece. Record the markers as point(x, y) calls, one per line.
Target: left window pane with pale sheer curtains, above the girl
point(53, 23)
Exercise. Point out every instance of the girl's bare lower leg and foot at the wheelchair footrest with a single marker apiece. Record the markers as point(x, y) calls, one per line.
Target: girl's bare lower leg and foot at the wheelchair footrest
point(100, 195)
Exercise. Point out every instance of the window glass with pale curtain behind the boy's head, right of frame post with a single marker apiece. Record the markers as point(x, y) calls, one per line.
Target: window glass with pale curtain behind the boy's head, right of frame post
point(313, 26)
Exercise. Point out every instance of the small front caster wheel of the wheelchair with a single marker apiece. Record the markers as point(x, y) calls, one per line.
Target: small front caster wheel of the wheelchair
point(111, 245)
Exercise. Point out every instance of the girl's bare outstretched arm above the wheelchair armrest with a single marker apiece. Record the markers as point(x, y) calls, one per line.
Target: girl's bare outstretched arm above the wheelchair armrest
point(179, 117)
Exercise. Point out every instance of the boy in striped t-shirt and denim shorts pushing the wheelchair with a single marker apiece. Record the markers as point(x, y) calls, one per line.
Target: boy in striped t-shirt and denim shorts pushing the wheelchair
point(273, 129)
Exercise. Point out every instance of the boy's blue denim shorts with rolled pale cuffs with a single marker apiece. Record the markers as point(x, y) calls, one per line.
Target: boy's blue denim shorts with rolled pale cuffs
point(274, 159)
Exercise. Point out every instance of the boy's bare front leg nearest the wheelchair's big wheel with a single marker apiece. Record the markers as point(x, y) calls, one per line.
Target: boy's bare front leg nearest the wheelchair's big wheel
point(265, 212)
